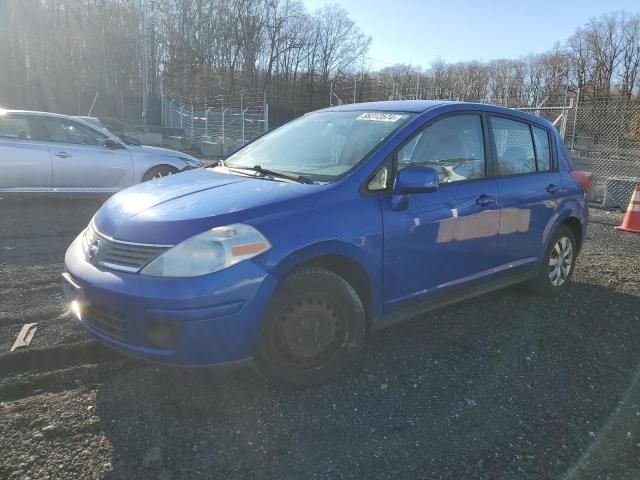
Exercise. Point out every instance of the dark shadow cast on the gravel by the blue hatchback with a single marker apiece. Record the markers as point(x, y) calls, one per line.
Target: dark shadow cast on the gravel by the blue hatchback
point(509, 385)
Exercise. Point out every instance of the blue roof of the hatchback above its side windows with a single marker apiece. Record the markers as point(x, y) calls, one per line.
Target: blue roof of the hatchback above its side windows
point(441, 106)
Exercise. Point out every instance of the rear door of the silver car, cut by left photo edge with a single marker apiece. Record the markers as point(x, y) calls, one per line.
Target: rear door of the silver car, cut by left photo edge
point(25, 163)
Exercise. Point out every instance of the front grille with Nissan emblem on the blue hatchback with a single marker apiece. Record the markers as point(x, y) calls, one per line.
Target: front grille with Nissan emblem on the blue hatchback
point(117, 254)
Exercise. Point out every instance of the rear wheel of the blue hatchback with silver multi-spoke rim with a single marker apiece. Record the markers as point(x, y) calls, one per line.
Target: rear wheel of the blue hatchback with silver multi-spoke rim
point(553, 277)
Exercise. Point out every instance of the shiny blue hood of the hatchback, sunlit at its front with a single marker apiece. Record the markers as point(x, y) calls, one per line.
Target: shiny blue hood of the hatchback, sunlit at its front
point(171, 209)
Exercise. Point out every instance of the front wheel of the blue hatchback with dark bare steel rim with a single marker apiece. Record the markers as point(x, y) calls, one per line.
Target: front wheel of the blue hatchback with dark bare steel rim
point(313, 330)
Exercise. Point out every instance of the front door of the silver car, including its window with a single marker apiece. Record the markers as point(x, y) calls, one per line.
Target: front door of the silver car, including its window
point(81, 160)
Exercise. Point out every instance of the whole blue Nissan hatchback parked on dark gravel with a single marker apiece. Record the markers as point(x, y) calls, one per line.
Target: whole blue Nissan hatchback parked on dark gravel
point(342, 221)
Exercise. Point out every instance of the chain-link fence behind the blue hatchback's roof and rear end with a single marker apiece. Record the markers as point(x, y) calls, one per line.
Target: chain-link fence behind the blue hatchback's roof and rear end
point(603, 137)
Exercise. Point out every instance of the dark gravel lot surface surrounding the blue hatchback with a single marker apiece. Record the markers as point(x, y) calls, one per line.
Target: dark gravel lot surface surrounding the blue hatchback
point(510, 385)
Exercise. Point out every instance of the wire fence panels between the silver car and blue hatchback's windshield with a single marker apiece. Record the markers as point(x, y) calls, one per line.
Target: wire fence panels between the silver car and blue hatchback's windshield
point(214, 125)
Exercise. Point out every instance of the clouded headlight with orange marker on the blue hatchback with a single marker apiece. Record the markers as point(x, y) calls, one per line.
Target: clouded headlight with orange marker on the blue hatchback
point(208, 252)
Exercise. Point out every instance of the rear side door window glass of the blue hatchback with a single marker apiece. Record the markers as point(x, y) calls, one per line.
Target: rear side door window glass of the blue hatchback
point(514, 146)
